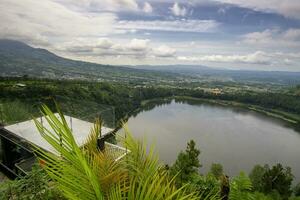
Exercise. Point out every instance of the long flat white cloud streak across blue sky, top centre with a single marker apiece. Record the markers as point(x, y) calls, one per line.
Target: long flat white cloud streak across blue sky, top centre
point(176, 25)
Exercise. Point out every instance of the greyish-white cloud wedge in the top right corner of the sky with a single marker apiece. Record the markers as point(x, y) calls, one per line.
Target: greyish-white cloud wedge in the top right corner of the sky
point(288, 8)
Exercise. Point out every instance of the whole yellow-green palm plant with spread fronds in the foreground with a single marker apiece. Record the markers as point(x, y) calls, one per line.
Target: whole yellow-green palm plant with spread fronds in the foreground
point(87, 173)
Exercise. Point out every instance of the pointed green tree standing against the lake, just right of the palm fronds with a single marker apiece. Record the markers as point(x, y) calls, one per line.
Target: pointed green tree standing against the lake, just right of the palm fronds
point(187, 163)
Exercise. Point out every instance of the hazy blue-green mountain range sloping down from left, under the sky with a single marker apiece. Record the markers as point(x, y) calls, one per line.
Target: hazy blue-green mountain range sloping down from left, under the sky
point(19, 59)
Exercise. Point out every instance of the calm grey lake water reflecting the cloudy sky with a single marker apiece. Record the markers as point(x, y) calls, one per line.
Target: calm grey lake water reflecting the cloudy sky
point(238, 139)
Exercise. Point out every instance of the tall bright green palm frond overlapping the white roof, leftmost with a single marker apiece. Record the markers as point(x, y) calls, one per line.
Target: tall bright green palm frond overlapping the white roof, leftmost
point(71, 170)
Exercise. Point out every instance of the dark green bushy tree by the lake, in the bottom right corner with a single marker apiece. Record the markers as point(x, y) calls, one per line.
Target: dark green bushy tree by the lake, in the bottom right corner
point(278, 179)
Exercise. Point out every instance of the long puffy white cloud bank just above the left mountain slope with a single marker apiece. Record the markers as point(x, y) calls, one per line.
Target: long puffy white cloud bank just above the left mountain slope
point(103, 47)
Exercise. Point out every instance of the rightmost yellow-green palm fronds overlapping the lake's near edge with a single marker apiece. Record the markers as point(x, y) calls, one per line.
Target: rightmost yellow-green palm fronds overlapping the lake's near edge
point(149, 179)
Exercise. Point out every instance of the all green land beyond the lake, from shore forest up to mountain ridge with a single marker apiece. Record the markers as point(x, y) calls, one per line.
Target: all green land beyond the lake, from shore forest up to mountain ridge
point(272, 93)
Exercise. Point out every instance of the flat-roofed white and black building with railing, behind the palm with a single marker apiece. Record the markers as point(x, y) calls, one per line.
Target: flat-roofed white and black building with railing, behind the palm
point(16, 141)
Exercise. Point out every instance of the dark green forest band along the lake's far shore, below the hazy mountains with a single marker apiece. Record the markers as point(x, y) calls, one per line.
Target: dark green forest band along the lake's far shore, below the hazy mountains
point(126, 98)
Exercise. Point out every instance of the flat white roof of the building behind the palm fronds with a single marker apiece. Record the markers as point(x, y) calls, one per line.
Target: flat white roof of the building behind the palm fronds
point(28, 131)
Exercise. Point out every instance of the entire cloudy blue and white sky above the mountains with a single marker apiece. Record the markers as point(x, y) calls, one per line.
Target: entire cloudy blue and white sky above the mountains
point(235, 34)
